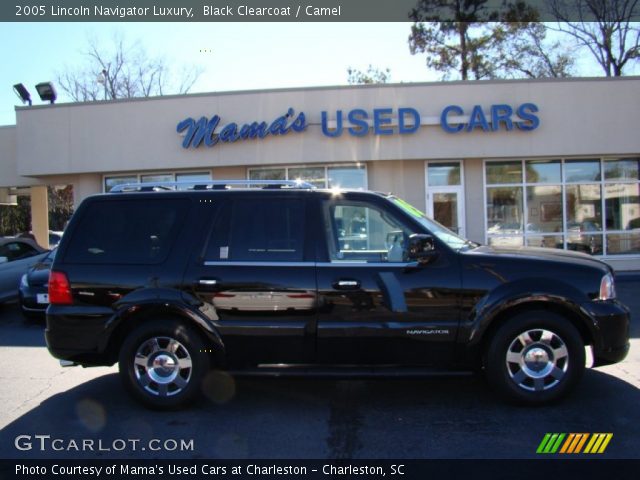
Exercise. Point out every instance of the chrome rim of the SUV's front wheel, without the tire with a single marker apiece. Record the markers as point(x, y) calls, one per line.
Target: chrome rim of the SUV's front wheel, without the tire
point(537, 360)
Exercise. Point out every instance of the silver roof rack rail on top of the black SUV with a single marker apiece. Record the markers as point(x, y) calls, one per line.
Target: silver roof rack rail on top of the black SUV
point(211, 185)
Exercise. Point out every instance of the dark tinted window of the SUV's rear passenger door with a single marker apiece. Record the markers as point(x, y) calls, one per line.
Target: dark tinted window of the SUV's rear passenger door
point(259, 229)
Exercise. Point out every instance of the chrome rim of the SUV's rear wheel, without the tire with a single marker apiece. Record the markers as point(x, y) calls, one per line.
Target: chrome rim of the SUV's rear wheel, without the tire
point(162, 366)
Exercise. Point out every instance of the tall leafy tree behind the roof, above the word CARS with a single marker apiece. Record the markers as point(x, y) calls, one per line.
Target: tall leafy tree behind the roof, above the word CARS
point(470, 38)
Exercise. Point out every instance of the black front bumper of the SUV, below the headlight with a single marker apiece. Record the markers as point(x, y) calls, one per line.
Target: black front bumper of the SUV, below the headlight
point(610, 329)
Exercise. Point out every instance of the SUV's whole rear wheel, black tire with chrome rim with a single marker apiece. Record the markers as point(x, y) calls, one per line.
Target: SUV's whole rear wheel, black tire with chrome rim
point(162, 363)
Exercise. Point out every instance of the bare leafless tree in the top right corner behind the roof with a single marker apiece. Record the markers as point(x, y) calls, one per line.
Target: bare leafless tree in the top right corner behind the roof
point(604, 27)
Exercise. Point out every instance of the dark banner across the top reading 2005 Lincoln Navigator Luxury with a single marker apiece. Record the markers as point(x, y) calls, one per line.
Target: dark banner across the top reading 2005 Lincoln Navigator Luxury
point(302, 10)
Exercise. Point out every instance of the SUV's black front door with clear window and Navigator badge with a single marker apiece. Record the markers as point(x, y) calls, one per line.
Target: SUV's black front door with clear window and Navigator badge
point(376, 306)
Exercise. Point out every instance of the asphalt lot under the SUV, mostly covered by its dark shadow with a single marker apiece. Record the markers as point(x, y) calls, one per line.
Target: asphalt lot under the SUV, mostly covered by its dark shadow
point(453, 417)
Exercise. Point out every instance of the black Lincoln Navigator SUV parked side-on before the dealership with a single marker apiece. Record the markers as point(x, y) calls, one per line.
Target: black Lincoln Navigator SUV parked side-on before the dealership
point(282, 278)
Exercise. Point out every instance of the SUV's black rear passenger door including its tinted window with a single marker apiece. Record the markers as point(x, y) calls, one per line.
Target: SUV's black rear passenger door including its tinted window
point(259, 275)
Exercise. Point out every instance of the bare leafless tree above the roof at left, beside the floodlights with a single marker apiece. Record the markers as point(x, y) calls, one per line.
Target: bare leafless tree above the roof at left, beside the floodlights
point(123, 71)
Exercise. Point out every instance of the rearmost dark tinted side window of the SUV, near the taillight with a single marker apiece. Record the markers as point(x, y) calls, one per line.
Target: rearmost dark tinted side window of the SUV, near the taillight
point(126, 232)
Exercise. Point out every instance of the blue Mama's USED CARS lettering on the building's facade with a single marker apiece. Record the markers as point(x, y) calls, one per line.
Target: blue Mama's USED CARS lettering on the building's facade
point(360, 122)
